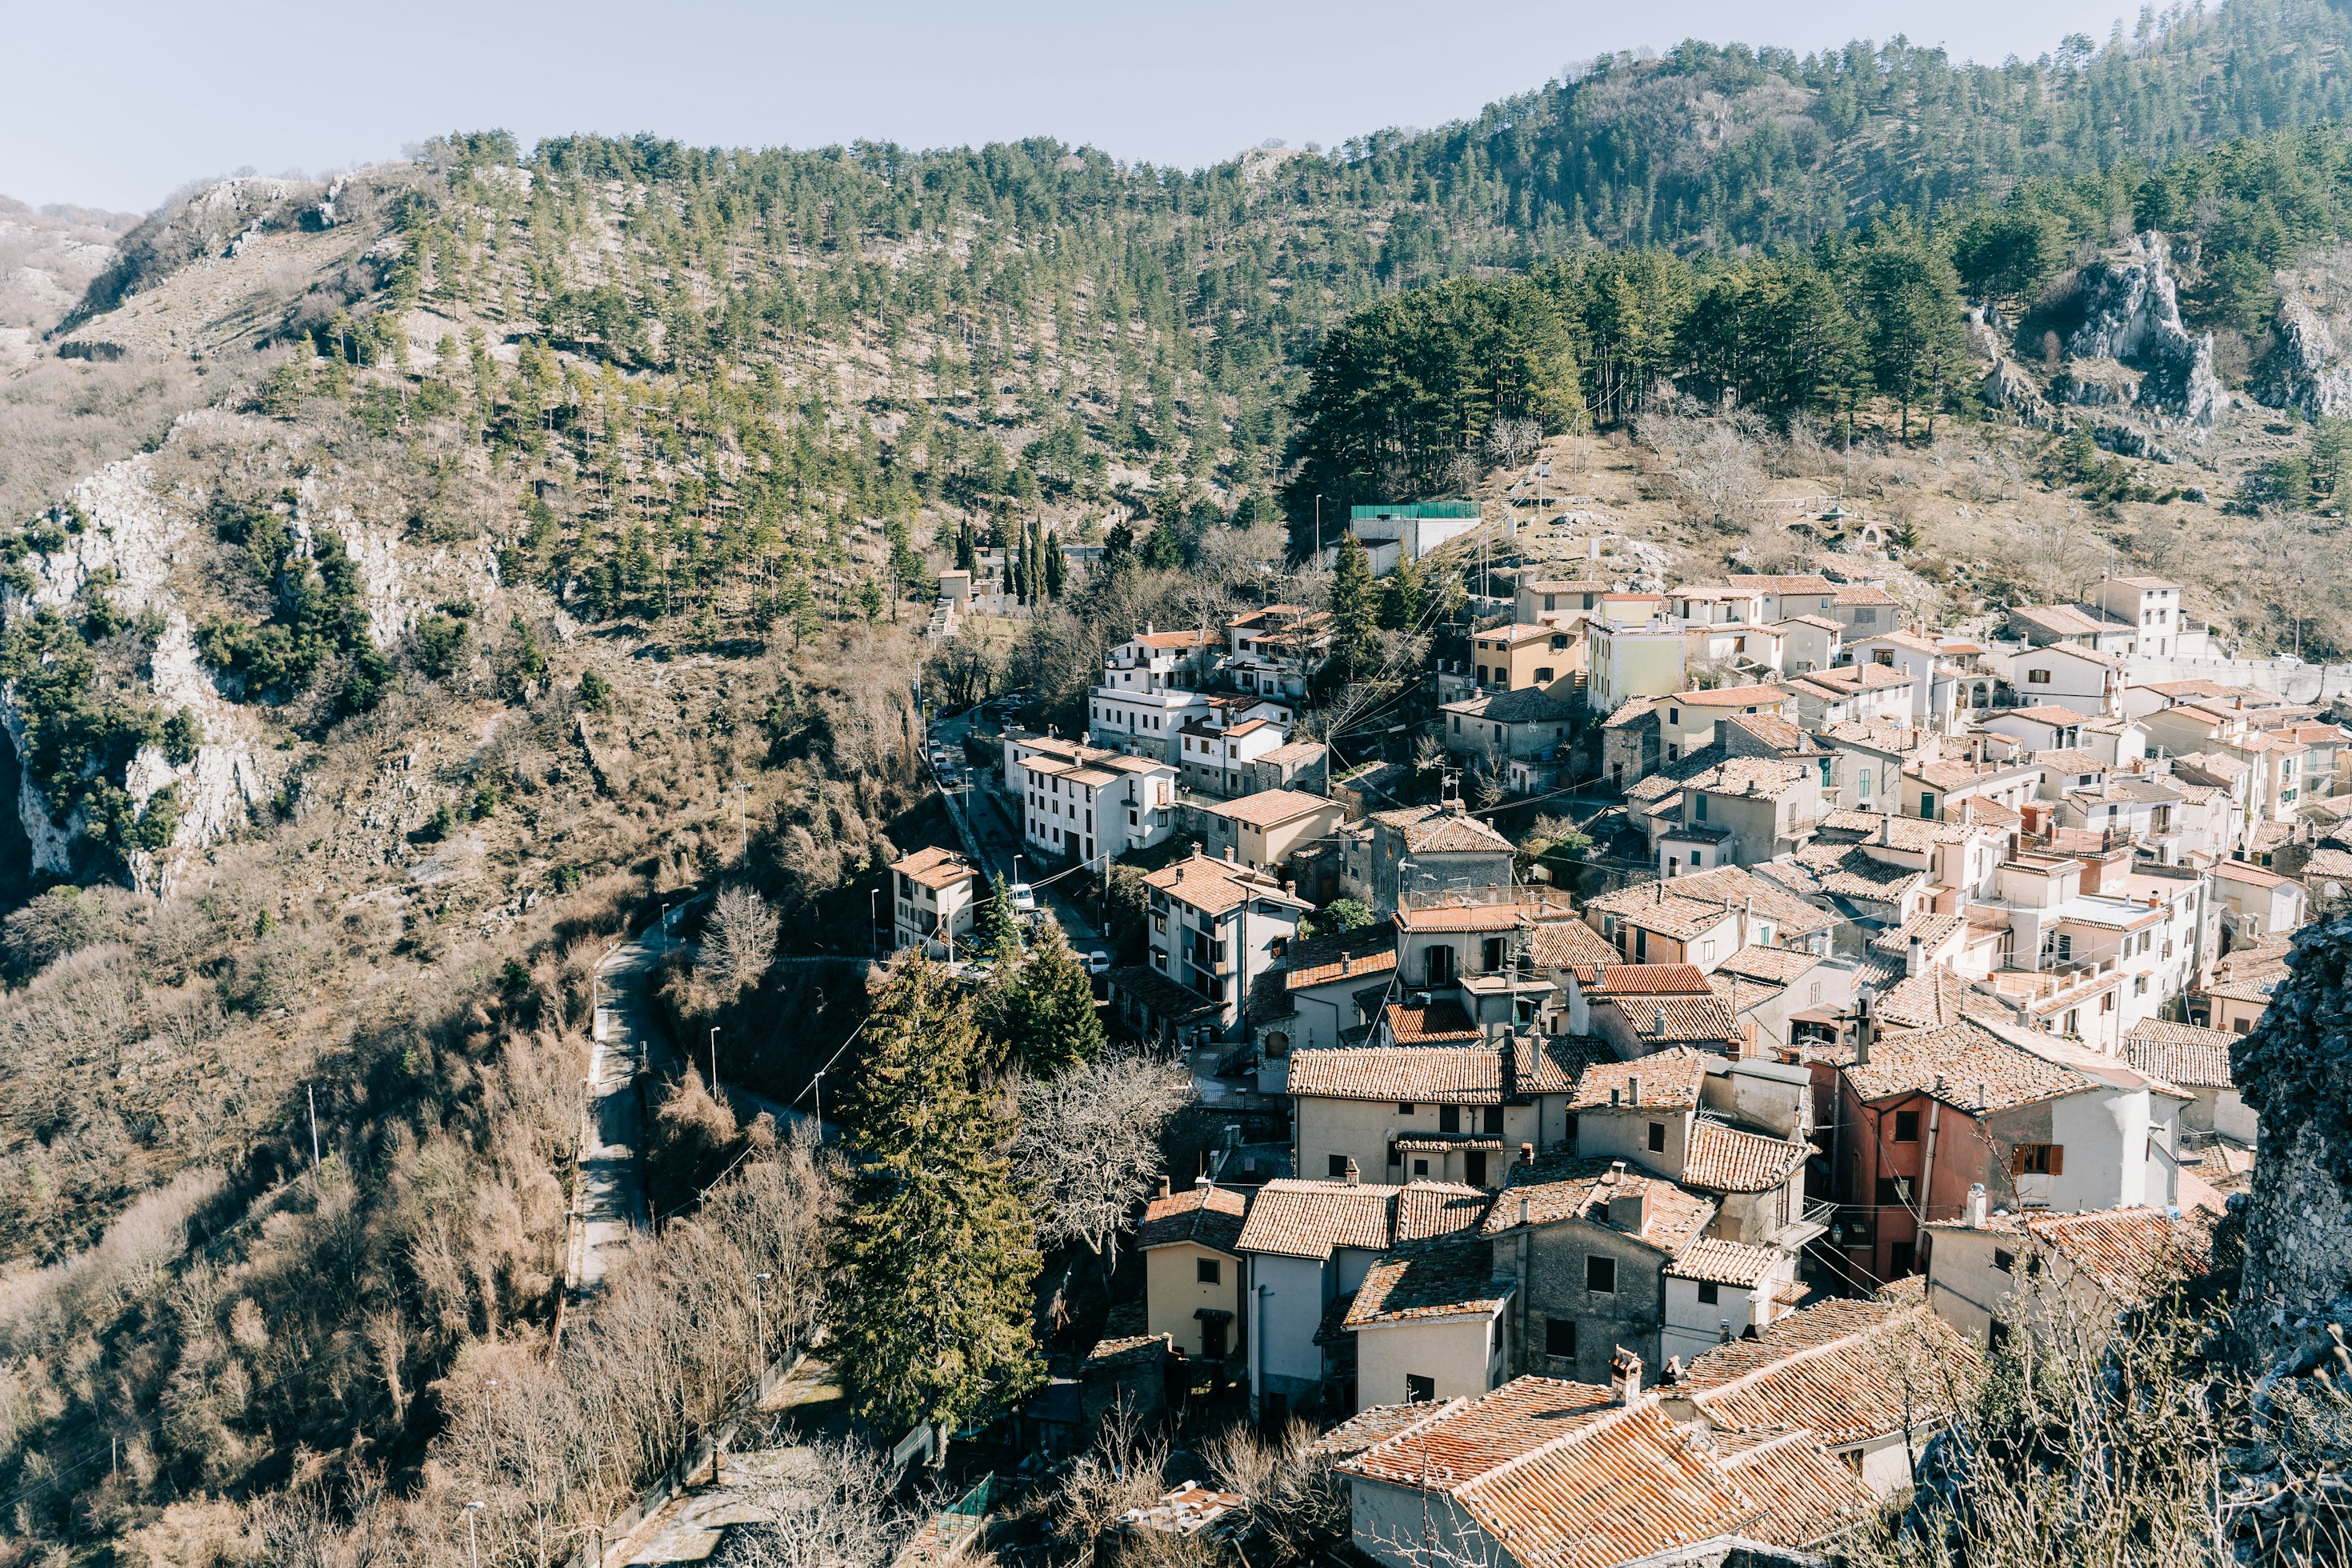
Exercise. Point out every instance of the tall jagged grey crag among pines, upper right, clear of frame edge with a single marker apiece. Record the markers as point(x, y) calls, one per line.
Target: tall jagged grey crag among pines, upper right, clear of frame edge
point(2132, 319)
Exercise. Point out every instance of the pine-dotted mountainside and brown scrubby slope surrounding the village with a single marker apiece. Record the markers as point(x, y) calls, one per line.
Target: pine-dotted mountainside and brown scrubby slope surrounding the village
point(422, 579)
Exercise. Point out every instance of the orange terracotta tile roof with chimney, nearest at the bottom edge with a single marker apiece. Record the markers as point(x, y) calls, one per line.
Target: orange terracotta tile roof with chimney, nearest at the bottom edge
point(1565, 1475)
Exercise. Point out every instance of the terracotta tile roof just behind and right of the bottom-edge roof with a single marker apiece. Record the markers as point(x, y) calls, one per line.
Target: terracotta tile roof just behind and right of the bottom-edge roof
point(1847, 1369)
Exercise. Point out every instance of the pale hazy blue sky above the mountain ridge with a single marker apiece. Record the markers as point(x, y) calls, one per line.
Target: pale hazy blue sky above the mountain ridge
point(119, 105)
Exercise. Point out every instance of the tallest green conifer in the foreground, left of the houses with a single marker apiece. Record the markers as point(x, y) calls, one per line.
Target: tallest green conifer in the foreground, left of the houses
point(935, 1254)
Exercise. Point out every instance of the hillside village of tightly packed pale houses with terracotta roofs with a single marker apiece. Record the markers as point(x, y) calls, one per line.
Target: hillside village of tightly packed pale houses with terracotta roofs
point(1666, 1191)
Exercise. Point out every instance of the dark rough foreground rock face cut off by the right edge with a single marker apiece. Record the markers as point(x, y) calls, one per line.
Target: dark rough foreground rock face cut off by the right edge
point(2297, 1071)
